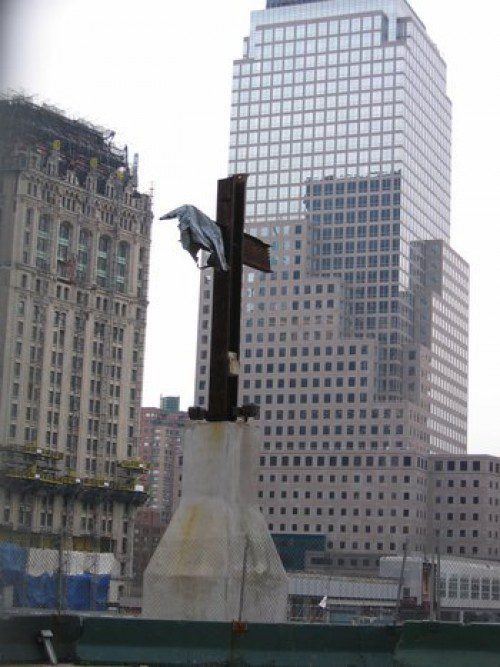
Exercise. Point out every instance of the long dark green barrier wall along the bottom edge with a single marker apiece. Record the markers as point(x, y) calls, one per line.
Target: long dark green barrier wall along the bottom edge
point(129, 641)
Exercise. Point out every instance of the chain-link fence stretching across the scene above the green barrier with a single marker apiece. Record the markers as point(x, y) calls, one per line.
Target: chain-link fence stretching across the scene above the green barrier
point(241, 579)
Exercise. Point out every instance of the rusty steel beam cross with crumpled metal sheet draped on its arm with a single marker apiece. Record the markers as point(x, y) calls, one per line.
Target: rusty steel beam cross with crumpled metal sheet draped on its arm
point(240, 249)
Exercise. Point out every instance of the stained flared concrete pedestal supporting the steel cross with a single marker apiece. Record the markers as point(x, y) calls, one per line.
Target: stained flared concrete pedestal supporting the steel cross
point(217, 555)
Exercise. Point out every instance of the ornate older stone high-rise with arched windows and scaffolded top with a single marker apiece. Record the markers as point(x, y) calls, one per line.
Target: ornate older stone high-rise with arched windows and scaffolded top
point(74, 260)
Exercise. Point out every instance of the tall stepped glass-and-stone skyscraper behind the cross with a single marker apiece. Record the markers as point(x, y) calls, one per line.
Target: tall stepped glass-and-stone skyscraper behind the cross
point(356, 346)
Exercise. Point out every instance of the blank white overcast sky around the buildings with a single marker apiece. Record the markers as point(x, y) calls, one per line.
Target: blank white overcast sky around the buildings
point(159, 73)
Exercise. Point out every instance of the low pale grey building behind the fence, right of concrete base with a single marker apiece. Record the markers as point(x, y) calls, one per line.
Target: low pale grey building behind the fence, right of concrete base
point(453, 589)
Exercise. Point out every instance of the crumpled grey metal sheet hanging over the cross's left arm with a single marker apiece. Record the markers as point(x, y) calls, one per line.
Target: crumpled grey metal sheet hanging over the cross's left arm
point(199, 232)
